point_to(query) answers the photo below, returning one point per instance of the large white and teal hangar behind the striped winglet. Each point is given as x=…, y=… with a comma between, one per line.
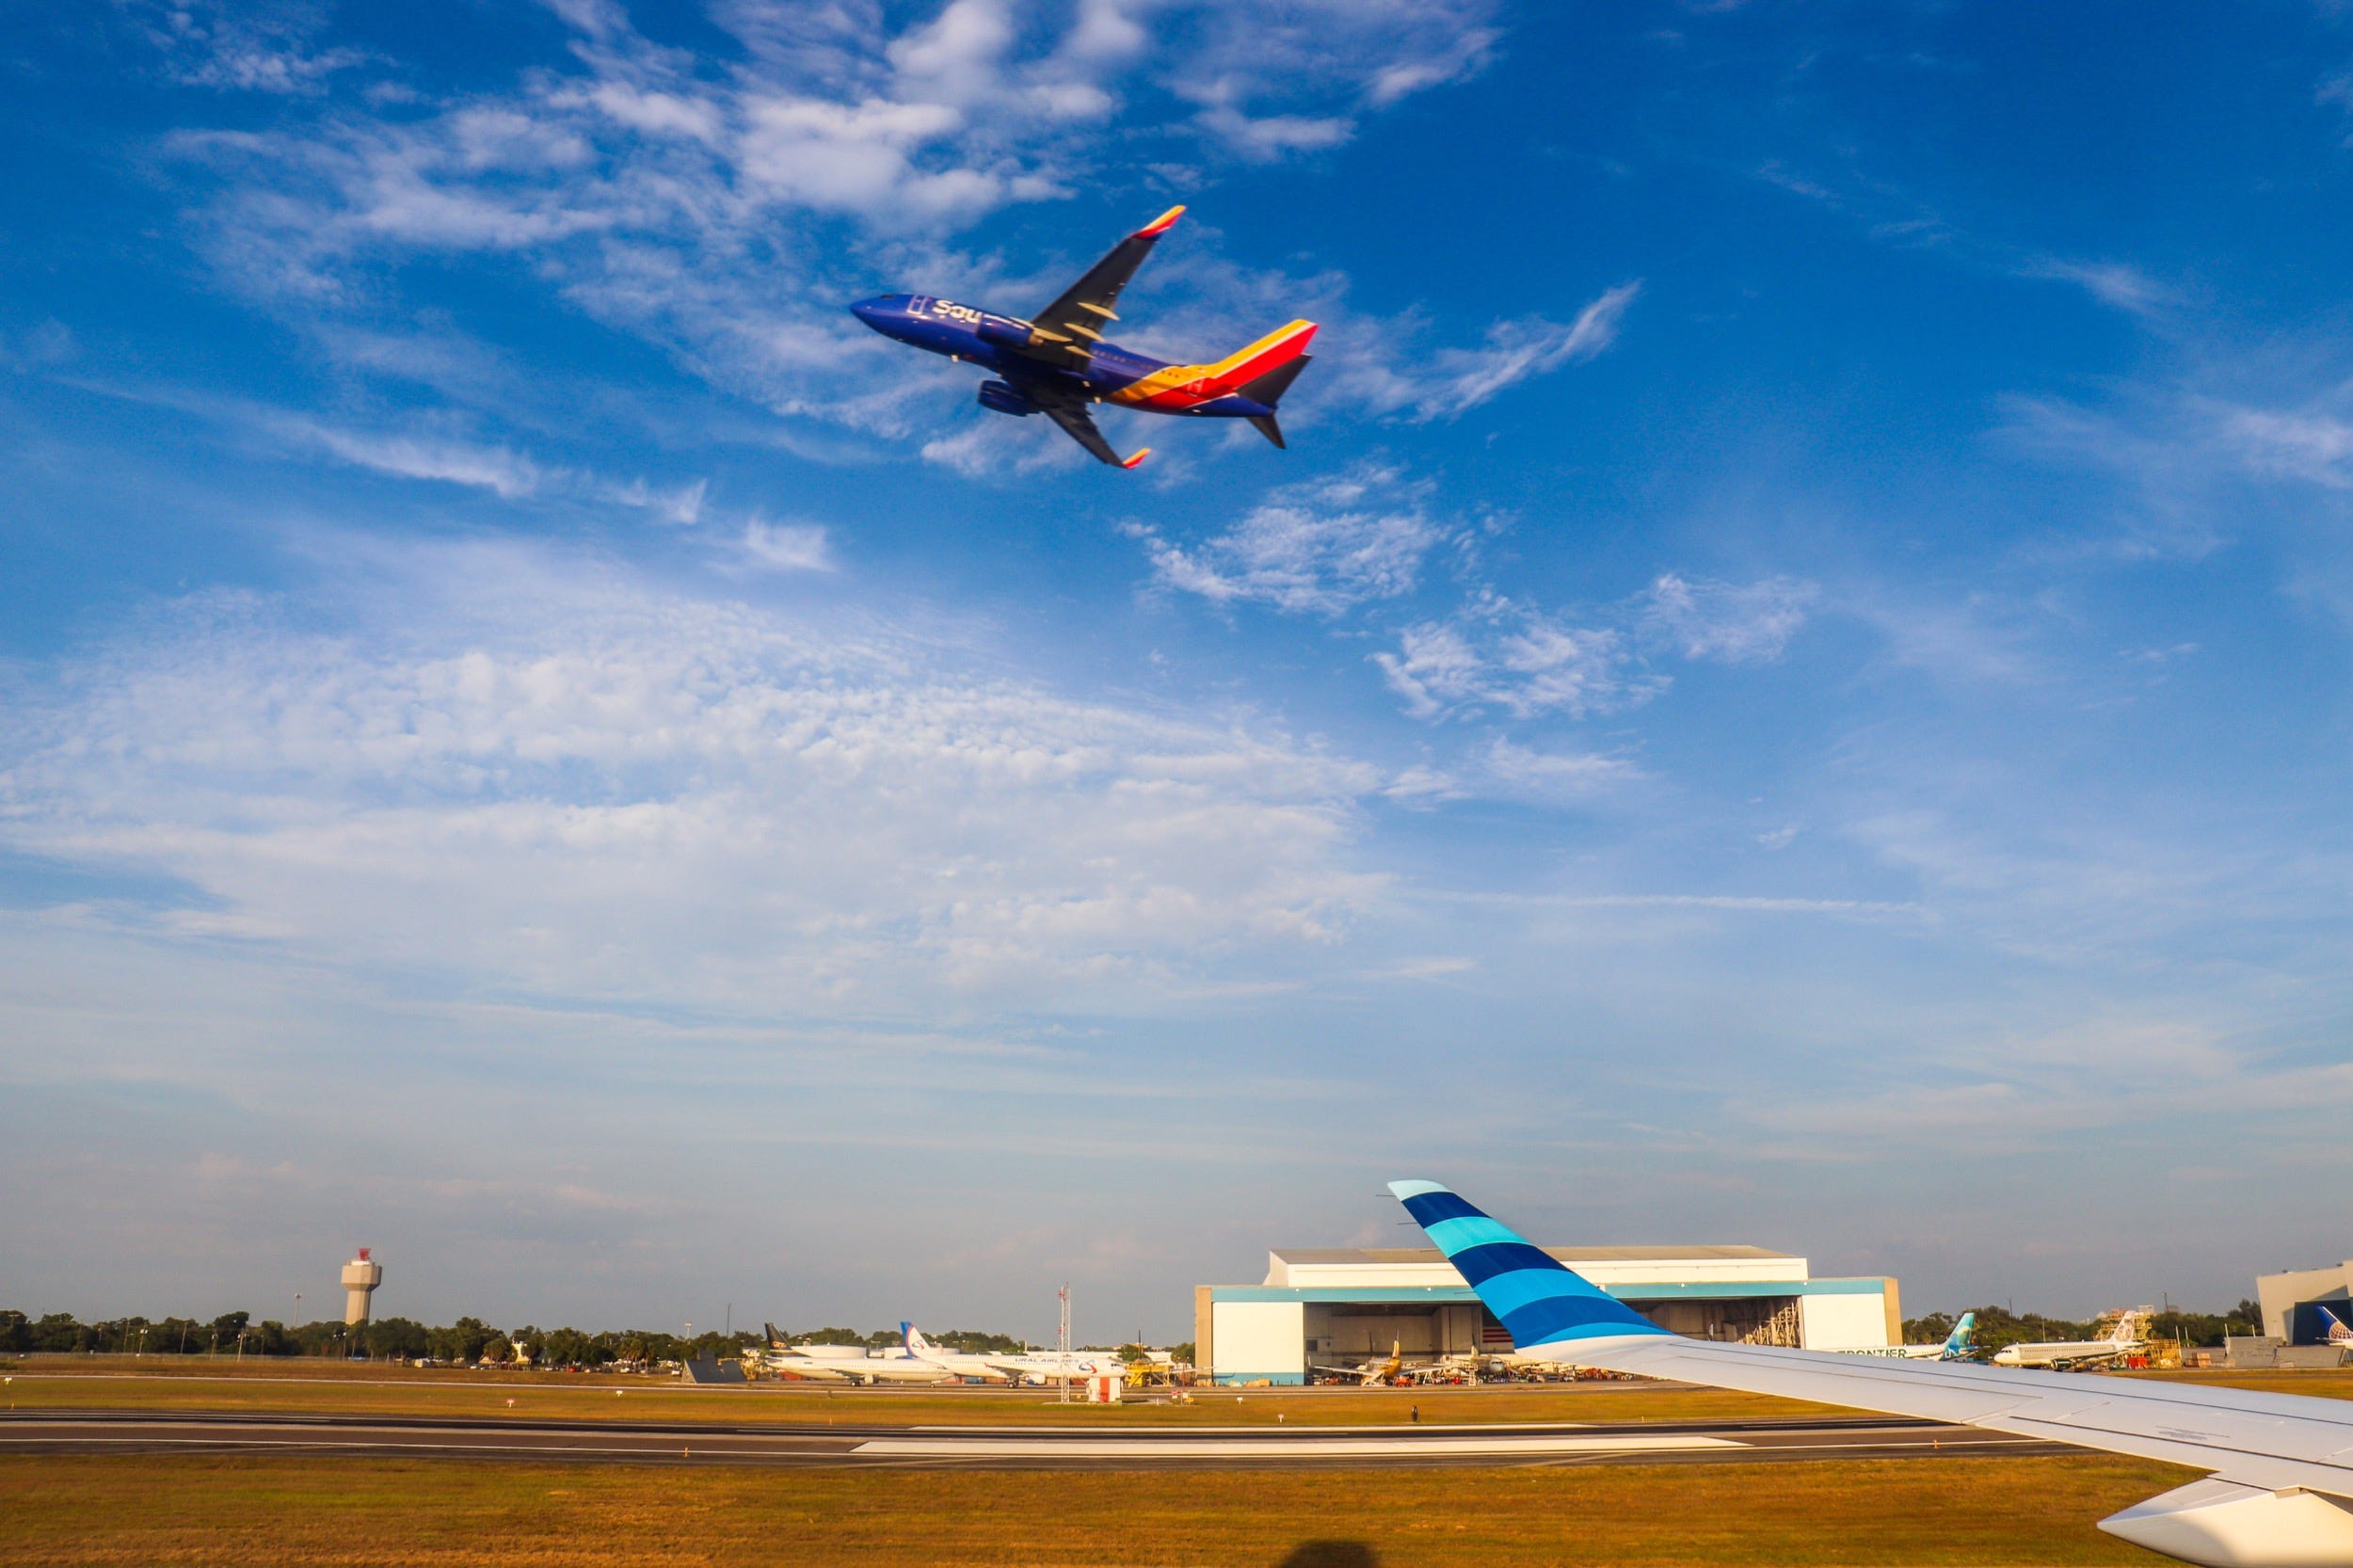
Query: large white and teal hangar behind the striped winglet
x=1342, y=1305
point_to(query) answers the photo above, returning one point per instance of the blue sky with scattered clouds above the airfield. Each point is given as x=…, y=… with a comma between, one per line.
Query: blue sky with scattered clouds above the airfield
x=1789, y=689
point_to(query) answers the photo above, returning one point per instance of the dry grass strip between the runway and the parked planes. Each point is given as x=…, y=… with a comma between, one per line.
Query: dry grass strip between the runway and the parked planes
x=448, y=1393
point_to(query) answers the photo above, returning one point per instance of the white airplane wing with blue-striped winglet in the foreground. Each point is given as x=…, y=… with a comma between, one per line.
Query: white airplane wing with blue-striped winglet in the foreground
x=2281, y=1487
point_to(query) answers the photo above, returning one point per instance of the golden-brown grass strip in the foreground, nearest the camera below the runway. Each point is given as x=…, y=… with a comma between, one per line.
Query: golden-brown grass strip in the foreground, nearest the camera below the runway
x=422, y=1515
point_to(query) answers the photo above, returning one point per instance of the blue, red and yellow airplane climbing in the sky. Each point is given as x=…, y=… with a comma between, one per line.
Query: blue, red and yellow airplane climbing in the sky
x=1060, y=364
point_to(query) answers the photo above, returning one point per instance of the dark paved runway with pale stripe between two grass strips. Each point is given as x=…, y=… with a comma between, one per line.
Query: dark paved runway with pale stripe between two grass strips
x=785, y=1444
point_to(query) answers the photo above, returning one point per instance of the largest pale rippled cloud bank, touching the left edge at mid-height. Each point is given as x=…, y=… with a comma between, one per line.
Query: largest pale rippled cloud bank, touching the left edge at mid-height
x=526, y=776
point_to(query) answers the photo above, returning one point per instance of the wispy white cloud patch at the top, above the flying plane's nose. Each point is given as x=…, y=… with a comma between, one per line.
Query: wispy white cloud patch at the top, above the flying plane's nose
x=726, y=215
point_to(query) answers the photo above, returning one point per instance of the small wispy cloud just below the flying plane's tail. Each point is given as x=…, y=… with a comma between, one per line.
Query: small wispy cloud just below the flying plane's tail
x=1317, y=547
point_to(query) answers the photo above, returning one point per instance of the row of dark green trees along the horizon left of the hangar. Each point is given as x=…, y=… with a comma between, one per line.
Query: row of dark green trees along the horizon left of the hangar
x=469, y=1341
